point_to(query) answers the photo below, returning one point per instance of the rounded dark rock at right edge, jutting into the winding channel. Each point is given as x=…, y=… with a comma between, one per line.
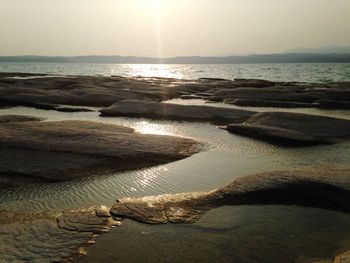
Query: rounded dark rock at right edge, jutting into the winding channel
x=294, y=129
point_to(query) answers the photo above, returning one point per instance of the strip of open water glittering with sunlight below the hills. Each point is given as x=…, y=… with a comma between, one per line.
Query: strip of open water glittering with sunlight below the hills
x=303, y=72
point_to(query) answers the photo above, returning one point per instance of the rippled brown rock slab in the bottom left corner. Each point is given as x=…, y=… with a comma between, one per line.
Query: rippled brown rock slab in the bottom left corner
x=51, y=236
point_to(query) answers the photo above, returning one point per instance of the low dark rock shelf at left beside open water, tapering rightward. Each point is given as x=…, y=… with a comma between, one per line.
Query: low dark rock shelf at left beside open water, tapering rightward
x=91, y=91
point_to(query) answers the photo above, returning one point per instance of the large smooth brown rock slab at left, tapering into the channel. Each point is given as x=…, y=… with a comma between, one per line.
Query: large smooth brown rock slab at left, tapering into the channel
x=64, y=150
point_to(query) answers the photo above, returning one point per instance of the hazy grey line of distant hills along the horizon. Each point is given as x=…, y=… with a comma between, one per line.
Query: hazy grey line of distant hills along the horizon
x=237, y=59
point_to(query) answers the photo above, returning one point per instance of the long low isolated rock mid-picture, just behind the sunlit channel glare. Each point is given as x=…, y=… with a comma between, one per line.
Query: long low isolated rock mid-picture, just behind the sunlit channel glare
x=157, y=110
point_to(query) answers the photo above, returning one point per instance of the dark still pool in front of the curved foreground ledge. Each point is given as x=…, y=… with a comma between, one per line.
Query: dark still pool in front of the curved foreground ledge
x=230, y=234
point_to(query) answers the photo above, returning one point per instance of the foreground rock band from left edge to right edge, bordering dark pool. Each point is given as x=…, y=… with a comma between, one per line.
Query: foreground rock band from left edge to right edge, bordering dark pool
x=71, y=231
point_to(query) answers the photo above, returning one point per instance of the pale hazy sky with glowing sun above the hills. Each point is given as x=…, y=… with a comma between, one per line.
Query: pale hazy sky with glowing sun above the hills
x=170, y=27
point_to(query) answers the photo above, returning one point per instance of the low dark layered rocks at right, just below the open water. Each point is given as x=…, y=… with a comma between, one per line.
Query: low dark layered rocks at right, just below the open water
x=284, y=95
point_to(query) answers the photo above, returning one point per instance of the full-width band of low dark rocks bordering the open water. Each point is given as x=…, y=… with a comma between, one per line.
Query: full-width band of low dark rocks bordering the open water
x=45, y=91
